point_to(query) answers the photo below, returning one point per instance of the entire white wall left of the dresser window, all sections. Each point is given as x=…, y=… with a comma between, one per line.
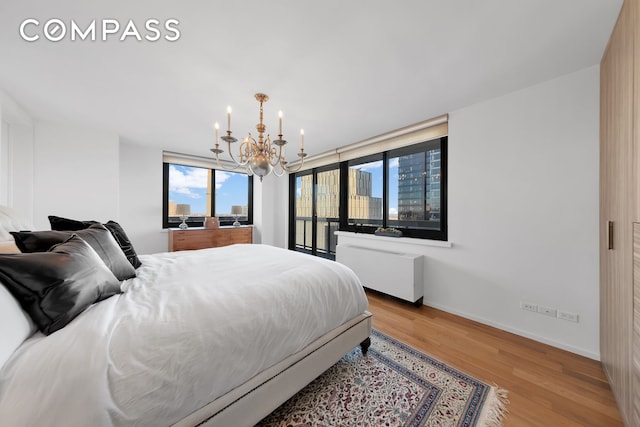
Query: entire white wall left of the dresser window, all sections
x=82, y=174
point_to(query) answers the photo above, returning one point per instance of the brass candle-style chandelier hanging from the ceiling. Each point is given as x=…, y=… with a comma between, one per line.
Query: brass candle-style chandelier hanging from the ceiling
x=263, y=156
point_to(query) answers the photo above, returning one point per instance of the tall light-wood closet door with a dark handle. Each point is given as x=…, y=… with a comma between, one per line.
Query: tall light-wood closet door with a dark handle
x=617, y=204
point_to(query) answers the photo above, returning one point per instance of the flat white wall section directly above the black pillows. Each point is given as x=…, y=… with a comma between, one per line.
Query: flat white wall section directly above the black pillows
x=76, y=174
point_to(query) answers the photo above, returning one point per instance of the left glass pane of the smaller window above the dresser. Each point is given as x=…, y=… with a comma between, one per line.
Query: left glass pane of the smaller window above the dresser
x=189, y=193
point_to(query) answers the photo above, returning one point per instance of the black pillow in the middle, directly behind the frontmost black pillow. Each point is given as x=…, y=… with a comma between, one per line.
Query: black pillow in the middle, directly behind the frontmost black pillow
x=97, y=236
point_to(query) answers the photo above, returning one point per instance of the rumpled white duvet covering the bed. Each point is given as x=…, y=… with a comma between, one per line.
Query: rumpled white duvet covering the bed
x=192, y=326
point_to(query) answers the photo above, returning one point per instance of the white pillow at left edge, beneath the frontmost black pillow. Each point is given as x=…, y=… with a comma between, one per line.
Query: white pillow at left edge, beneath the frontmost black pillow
x=15, y=325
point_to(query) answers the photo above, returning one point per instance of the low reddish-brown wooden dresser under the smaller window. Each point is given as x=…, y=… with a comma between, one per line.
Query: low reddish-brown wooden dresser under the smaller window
x=200, y=238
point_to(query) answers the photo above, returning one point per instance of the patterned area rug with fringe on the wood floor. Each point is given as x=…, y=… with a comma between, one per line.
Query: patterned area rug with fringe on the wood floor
x=393, y=385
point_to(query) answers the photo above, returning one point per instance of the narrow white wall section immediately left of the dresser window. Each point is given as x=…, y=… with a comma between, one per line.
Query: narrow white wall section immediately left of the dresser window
x=141, y=197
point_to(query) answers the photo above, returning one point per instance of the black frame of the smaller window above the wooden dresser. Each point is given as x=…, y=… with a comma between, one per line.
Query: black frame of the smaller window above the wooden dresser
x=198, y=221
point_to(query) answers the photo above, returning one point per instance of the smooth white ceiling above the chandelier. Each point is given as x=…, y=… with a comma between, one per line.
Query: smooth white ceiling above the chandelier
x=342, y=70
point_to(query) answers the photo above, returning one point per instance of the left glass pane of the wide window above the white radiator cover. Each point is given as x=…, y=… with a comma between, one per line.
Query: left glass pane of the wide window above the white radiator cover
x=365, y=193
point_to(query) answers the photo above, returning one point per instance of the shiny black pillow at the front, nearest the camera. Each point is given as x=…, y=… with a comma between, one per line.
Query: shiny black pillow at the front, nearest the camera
x=56, y=286
